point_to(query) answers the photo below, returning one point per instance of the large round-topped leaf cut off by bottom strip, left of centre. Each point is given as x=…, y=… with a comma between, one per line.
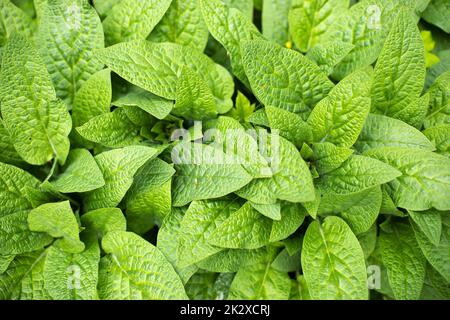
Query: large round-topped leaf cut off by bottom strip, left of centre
x=135, y=269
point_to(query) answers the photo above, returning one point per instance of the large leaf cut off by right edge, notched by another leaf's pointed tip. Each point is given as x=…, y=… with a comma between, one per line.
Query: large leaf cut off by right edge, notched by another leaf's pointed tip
x=425, y=179
